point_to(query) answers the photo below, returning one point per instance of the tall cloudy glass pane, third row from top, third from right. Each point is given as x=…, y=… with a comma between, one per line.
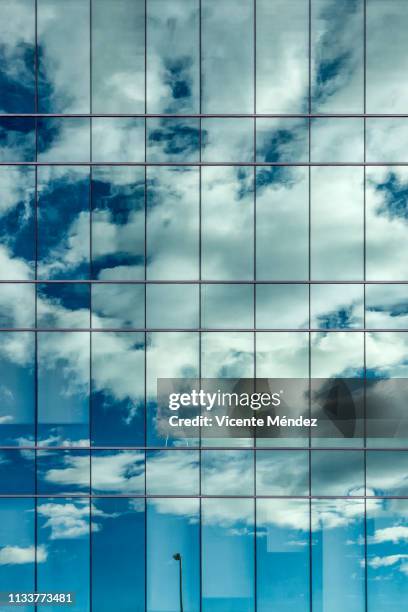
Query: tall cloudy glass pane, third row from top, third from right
x=282, y=223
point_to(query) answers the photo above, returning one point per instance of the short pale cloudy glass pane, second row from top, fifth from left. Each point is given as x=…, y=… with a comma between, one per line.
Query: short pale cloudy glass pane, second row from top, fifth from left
x=227, y=140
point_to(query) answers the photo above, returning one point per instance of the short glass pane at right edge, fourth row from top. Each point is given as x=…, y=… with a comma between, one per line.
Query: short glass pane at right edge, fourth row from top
x=387, y=306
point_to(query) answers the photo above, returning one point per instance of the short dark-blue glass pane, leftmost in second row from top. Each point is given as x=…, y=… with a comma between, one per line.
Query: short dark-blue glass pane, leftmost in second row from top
x=17, y=139
